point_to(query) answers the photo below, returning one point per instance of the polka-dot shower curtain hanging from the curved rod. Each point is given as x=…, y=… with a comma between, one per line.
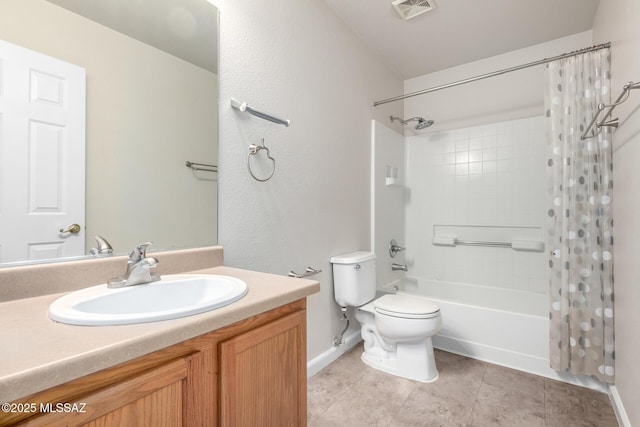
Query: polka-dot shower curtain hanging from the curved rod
x=580, y=223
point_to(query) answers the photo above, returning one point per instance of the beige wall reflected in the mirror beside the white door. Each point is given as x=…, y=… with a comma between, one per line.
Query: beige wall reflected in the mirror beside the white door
x=147, y=113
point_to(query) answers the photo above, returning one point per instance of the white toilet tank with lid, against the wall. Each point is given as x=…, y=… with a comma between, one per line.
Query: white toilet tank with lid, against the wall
x=354, y=278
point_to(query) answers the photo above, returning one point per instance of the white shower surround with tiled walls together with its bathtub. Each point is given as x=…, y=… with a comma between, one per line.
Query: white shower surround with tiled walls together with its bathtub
x=474, y=240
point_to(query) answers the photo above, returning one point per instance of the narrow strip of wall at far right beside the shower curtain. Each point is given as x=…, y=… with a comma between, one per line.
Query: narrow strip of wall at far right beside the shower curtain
x=617, y=21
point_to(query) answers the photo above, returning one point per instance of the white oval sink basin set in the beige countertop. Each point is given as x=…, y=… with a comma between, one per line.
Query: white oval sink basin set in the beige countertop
x=177, y=295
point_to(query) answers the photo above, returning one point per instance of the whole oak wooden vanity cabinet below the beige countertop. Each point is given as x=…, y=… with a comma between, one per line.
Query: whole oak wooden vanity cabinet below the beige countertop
x=247, y=374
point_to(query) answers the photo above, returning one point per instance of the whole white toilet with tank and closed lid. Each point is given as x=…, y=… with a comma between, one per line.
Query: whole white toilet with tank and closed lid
x=396, y=329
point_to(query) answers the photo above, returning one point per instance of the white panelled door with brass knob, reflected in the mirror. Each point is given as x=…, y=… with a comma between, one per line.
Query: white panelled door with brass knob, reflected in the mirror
x=42, y=155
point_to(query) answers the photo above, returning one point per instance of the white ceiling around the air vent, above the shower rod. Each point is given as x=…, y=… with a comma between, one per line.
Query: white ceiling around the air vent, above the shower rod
x=460, y=31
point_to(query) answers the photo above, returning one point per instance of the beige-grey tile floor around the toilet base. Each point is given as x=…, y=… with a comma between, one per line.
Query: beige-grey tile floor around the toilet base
x=467, y=393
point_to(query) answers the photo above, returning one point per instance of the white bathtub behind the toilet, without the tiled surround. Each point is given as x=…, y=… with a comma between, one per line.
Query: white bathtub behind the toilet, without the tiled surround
x=502, y=326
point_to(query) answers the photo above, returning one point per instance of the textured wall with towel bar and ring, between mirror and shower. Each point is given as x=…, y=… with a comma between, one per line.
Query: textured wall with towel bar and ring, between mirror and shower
x=298, y=61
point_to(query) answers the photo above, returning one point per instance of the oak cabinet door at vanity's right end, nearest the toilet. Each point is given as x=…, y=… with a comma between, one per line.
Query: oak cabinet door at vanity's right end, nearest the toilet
x=263, y=375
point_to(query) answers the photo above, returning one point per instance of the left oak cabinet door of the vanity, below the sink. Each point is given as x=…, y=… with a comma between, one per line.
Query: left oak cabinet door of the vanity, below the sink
x=159, y=397
